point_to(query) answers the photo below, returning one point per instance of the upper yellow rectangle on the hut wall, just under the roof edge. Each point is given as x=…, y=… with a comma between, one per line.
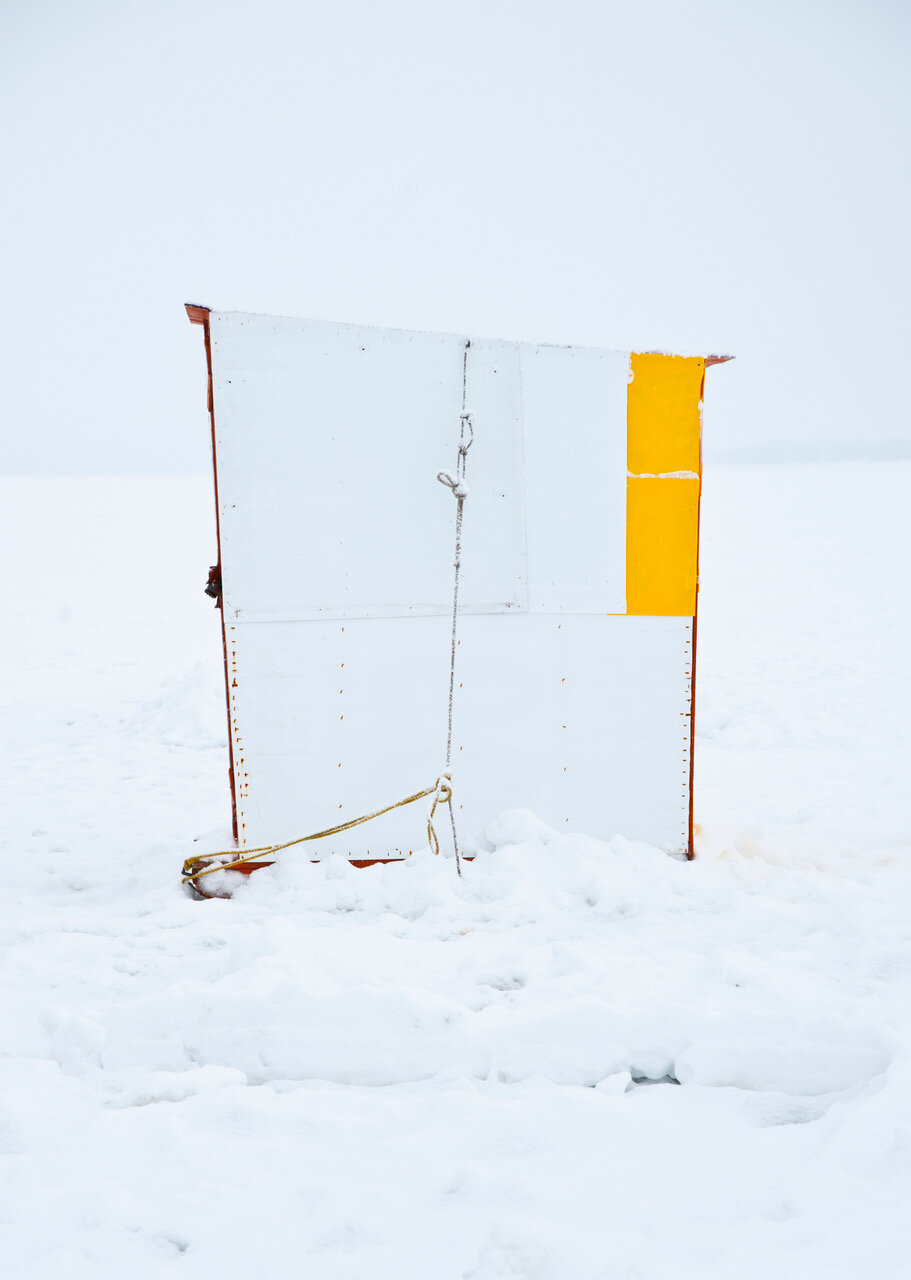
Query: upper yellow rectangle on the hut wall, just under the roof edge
x=663, y=418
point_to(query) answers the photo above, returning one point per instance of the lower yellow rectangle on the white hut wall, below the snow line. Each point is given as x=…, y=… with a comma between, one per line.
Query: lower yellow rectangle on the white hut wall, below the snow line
x=662, y=546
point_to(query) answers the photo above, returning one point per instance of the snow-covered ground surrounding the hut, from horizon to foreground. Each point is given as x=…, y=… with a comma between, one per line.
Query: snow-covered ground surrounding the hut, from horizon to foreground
x=584, y=1062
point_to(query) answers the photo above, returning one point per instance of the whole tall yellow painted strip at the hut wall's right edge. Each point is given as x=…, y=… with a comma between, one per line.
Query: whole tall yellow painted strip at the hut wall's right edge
x=663, y=486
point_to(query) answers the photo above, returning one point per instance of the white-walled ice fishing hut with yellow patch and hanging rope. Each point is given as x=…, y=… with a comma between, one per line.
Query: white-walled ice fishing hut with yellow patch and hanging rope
x=575, y=668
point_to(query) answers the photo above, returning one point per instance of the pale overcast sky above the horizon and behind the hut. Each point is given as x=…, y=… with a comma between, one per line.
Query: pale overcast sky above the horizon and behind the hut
x=686, y=176
